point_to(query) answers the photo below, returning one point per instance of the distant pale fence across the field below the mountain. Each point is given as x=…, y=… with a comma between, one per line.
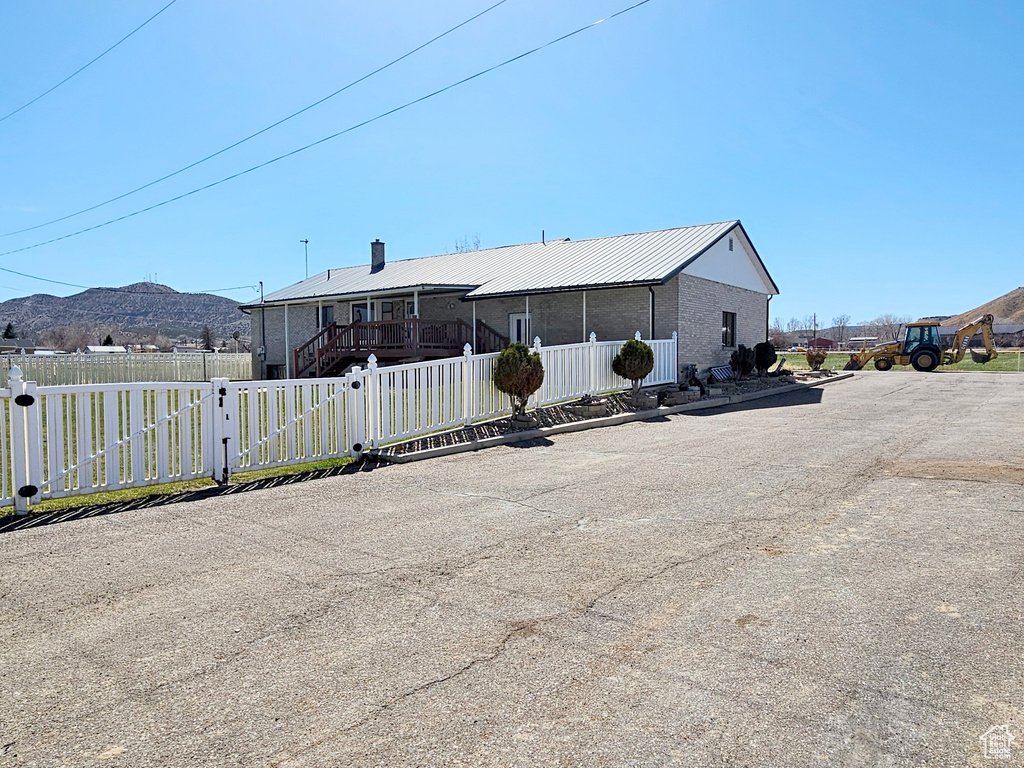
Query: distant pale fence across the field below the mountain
x=53, y=370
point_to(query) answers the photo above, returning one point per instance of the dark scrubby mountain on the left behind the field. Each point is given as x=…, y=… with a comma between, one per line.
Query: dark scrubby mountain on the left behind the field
x=139, y=310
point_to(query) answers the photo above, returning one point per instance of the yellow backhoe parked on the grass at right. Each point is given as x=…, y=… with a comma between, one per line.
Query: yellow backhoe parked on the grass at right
x=922, y=348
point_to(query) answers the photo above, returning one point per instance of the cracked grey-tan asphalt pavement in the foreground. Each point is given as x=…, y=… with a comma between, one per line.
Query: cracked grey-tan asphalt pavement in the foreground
x=780, y=583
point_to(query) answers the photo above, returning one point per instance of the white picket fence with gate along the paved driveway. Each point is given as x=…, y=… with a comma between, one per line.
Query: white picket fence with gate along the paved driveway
x=75, y=440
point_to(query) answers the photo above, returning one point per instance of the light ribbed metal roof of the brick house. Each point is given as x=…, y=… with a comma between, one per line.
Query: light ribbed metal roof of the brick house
x=645, y=259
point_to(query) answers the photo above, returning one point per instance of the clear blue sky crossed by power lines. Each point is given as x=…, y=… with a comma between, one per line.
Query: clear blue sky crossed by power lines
x=872, y=150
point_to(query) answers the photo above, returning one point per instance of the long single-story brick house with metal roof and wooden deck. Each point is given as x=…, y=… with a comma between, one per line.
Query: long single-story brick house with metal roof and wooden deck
x=707, y=283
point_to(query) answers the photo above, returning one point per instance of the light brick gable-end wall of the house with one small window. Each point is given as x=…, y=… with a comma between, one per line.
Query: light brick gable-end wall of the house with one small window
x=701, y=306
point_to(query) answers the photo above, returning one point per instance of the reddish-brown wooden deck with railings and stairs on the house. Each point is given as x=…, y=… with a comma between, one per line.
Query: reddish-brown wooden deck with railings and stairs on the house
x=336, y=348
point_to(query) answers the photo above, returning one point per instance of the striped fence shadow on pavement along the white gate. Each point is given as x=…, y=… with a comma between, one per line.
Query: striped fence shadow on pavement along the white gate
x=162, y=500
